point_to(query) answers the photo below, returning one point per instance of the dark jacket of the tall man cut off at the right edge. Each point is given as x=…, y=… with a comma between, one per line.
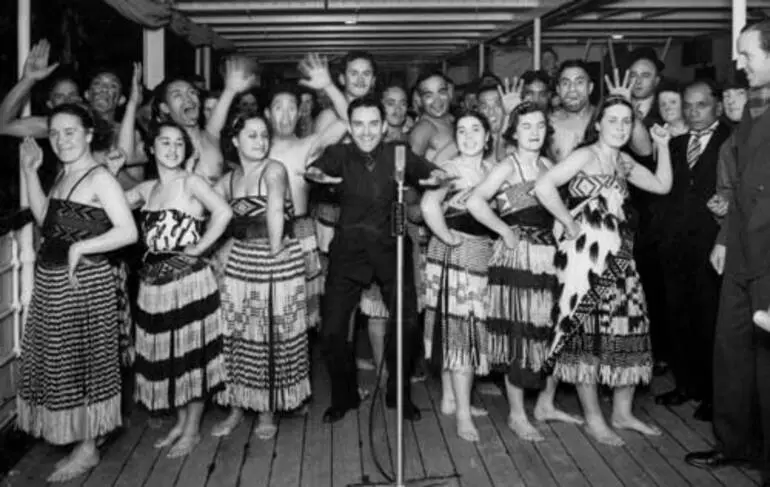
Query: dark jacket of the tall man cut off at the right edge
x=747, y=230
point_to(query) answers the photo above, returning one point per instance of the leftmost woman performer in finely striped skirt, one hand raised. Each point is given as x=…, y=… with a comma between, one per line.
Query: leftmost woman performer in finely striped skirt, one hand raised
x=70, y=367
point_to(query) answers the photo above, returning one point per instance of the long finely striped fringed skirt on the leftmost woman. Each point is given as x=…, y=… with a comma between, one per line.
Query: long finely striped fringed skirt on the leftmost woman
x=69, y=388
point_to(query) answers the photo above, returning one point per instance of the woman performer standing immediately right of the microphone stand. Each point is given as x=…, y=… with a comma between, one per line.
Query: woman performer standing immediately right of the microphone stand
x=456, y=275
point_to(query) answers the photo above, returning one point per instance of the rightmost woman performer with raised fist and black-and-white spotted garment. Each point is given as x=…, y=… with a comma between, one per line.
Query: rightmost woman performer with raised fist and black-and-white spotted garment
x=602, y=329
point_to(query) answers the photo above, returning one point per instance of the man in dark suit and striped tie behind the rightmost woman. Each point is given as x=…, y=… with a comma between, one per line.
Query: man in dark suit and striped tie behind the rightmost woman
x=687, y=231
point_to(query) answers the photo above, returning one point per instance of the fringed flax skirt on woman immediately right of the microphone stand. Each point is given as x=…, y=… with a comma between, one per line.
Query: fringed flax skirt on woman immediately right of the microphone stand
x=455, y=300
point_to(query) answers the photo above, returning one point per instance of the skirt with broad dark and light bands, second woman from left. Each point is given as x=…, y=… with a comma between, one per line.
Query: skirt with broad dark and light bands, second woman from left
x=179, y=355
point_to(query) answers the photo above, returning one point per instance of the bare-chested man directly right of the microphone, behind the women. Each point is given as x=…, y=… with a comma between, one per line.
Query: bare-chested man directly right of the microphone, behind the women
x=433, y=136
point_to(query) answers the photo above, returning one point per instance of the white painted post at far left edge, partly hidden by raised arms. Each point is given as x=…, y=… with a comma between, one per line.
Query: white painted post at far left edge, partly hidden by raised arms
x=24, y=236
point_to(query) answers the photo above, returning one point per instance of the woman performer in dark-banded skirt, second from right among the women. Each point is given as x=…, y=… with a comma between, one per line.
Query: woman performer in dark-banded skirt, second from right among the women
x=522, y=278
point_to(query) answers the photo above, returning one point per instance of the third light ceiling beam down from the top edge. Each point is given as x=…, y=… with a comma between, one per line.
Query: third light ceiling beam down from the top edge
x=291, y=27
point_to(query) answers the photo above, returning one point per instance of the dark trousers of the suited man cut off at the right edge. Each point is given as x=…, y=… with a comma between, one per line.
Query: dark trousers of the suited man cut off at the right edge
x=742, y=371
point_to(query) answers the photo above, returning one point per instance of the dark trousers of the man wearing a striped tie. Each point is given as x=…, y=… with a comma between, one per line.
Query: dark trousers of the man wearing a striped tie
x=691, y=292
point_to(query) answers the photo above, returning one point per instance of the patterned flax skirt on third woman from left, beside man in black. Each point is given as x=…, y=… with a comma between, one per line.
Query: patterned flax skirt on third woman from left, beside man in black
x=266, y=340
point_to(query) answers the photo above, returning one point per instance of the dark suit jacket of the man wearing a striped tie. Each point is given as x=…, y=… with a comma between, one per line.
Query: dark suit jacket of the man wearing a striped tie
x=682, y=217
